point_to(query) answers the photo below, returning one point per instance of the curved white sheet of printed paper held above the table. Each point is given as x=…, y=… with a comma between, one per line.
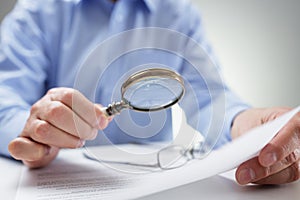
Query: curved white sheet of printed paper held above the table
x=73, y=176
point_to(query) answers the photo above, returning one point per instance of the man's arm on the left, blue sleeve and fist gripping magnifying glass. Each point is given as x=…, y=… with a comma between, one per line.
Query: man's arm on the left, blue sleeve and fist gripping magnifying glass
x=34, y=126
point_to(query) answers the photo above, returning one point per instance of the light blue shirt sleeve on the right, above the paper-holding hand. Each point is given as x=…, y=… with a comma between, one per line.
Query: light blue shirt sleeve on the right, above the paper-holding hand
x=206, y=90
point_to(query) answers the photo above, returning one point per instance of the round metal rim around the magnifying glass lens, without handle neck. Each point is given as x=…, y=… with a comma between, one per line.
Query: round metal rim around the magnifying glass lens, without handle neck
x=149, y=74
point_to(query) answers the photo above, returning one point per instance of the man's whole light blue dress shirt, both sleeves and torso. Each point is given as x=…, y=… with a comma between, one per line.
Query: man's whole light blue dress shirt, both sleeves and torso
x=44, y=43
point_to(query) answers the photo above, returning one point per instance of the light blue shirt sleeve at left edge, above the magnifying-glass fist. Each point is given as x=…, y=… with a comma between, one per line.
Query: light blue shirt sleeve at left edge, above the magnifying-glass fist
x=23, y=64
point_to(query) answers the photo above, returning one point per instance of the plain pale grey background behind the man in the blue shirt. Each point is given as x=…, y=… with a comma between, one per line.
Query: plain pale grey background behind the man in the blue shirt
x=257, y=44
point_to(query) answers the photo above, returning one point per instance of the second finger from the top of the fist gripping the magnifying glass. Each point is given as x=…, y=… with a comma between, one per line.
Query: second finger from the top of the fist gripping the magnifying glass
x=62, y=117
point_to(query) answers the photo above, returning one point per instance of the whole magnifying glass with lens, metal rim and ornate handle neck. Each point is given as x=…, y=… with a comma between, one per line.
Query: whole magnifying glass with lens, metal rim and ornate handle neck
x=148, y=90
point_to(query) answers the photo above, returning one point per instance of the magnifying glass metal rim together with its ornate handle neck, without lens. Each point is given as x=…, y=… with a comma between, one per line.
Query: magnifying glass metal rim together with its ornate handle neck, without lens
x=151, y=73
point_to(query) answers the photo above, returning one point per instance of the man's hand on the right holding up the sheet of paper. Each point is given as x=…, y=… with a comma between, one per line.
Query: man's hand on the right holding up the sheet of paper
x=279, y=161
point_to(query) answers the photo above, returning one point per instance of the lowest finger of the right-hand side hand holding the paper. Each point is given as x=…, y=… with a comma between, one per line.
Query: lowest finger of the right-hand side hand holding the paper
x=252, y=170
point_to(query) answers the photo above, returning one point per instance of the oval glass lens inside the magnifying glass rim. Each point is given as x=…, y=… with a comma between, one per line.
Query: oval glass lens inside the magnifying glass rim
x=153, y=93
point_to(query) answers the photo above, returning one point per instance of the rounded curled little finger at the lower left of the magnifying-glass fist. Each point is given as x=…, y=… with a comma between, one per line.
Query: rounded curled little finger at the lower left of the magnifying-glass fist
x=23, y=148
